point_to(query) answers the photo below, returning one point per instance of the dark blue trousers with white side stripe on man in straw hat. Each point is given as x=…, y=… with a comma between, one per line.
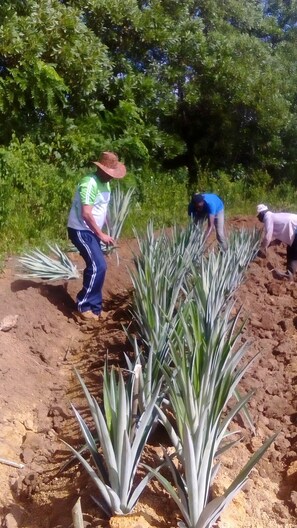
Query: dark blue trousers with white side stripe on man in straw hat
x=88, y=245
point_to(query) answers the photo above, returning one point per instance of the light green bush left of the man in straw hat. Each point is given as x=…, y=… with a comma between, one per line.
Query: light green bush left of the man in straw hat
x=34, y=197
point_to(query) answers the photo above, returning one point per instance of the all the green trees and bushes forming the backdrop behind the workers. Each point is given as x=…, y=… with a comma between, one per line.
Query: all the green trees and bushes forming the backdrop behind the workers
x=192, y=94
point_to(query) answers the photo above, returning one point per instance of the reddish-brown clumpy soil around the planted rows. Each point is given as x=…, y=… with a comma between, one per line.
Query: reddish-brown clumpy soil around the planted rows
x=41, y=343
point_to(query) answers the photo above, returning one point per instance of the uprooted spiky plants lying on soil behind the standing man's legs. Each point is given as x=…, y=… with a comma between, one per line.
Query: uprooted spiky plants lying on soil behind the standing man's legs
x=38, y=265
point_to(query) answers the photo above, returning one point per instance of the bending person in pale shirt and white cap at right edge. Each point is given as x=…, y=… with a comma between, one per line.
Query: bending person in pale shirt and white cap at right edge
x=280, y=227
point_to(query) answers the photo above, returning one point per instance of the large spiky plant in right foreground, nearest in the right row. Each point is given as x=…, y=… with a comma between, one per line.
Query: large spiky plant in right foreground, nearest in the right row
x=205, y=371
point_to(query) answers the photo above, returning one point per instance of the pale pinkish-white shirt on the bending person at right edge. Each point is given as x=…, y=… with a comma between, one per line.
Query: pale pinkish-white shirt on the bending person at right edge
x=279, y=226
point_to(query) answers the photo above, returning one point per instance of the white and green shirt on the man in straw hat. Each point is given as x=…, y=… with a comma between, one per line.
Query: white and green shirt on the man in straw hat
x=91, y=191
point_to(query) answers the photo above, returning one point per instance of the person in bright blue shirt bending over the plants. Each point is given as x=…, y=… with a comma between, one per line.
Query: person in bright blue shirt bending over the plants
x=210, y=206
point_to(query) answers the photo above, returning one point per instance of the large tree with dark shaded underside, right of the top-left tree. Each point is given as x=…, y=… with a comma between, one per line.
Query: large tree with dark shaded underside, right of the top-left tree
x=204, y=74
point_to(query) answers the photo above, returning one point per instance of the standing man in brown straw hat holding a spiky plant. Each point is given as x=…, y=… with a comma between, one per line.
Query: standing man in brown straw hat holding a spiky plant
x=85, y=223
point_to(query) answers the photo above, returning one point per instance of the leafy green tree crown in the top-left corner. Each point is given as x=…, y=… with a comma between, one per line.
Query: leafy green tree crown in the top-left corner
x=51, y=66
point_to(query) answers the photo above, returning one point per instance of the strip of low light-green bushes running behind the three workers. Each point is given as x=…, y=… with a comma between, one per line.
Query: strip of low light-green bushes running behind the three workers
x=36, y=195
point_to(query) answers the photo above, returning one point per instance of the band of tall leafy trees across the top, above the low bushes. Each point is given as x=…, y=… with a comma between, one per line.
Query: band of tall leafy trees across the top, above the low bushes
x=198, y=83
